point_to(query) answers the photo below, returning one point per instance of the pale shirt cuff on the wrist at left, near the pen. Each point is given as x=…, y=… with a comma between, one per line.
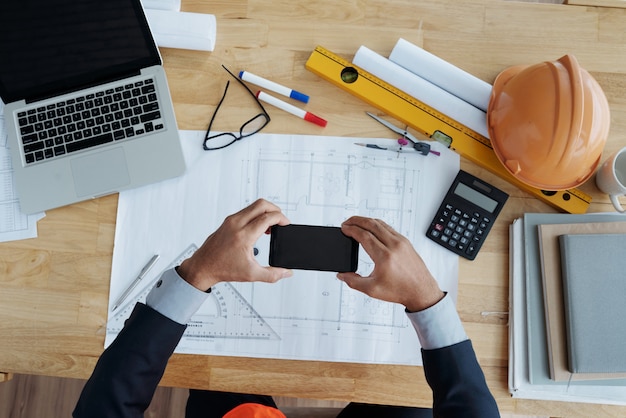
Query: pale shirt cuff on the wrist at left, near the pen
x=174, y=298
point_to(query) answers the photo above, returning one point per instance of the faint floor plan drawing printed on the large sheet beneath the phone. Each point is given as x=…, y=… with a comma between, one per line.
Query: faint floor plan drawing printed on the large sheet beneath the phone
x=303, y=182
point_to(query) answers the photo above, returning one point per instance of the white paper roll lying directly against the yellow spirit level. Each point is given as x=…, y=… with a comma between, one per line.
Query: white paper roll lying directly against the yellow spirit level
x=423, y=90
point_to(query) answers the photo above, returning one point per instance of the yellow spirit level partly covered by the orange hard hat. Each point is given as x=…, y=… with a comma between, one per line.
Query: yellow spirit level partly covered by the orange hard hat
x=431, y=123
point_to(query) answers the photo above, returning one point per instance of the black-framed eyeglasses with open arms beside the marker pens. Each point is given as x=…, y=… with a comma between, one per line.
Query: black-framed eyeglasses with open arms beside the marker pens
x=249, y=128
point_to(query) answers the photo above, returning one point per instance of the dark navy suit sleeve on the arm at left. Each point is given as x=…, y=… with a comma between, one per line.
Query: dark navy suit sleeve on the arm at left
x=129, y=370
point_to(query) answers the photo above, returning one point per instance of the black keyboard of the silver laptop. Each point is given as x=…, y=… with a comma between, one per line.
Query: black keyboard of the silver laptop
x=80, y=123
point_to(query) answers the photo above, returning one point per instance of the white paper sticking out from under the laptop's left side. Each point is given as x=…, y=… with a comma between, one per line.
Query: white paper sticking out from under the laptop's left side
x=14, y=224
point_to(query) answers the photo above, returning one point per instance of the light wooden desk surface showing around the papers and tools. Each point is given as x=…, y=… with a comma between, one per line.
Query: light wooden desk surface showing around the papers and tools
x=54, y=289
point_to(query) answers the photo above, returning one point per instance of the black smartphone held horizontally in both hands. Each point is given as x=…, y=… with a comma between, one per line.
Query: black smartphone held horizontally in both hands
x=305, y=247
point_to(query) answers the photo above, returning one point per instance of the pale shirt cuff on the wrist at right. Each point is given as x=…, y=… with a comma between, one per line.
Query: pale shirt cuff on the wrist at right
x=438, y=326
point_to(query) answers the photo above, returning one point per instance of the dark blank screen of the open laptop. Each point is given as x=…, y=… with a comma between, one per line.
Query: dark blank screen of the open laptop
x=49, y=47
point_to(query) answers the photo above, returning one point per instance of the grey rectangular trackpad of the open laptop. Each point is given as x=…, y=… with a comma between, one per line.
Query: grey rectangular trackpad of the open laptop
x=99, y=173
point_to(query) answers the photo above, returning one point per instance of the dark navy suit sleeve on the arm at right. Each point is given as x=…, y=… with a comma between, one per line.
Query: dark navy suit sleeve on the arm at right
x=458, y=383
